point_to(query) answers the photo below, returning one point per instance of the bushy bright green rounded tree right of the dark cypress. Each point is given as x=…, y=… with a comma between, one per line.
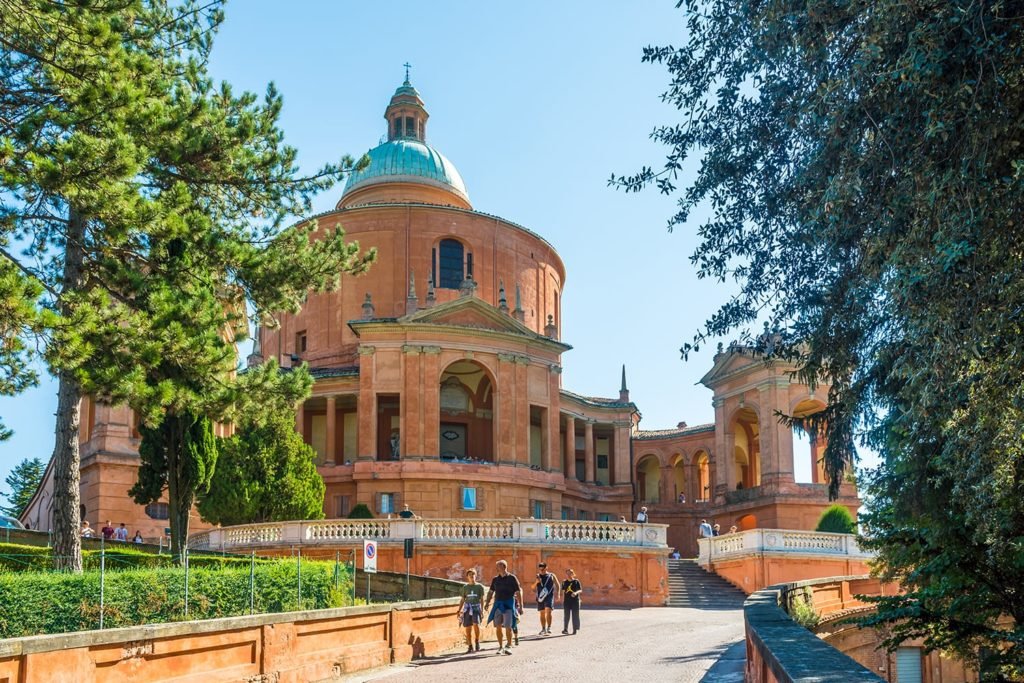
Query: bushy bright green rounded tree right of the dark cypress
x=266, y=473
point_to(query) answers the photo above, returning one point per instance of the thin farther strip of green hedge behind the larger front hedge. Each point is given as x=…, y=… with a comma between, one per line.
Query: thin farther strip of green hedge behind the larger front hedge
x=16, y=558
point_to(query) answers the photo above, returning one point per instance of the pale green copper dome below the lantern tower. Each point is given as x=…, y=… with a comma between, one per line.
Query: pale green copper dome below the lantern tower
x=408, y=160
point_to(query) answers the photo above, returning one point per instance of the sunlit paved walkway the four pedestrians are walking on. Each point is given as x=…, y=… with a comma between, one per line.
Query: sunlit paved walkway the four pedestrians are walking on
x=648, y=645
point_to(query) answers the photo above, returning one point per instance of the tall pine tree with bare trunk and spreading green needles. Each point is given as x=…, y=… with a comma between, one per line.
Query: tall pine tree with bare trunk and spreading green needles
x=154, y=203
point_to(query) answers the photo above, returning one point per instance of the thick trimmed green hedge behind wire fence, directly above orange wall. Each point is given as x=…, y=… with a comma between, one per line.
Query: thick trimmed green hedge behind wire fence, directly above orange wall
x=34, y=604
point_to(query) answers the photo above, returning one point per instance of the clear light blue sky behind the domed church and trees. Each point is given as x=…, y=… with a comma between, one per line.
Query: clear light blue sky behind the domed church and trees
x=537, y=104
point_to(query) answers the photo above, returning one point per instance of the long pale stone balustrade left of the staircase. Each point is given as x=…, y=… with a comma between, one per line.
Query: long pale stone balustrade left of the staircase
x=461, y=532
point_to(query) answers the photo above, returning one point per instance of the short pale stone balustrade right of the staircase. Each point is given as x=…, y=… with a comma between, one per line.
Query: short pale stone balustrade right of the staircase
x=777, y=541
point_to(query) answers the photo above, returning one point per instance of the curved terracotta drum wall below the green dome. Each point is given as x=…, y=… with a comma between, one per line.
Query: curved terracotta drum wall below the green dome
x=407, y=238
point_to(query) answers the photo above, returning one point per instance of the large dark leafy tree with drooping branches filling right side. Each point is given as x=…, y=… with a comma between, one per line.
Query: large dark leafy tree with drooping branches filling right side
x=863, y=173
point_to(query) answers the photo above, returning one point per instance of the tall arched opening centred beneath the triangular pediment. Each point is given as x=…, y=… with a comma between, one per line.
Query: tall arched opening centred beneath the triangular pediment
x=466, y=429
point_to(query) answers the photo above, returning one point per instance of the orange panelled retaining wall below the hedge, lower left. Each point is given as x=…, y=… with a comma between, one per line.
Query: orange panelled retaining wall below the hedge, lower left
x=289, y=648
